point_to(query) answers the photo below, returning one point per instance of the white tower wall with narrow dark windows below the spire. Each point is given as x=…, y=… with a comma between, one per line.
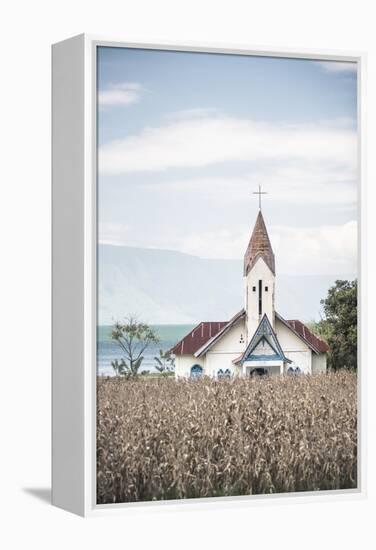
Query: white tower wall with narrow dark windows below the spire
x=260, y=271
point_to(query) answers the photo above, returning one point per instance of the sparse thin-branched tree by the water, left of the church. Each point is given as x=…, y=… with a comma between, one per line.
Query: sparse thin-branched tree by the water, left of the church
x=133, y=338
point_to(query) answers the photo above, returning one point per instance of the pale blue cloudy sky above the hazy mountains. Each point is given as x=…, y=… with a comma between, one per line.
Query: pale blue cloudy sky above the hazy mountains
x=184, y=139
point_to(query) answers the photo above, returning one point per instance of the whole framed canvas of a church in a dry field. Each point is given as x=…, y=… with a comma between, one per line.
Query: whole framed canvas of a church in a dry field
x=208, y=281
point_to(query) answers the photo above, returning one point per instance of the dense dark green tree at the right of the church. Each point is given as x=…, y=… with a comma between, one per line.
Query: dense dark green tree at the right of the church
x=339, y=326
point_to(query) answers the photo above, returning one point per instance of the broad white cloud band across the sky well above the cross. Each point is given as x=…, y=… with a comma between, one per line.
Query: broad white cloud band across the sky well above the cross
x=208, y=140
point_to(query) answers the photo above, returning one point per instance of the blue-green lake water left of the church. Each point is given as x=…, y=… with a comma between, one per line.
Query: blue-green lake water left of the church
x=108, y=350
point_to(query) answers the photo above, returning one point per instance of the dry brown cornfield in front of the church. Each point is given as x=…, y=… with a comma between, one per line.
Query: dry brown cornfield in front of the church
x=162, y=439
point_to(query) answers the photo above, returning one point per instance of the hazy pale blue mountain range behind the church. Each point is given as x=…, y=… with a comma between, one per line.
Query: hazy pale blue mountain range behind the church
x=164, y=286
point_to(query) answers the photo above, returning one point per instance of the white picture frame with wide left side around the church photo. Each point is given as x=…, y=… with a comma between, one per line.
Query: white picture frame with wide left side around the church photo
x=74, y=208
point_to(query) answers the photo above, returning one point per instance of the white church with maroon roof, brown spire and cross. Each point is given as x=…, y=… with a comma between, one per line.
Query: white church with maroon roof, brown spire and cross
x=257, y=340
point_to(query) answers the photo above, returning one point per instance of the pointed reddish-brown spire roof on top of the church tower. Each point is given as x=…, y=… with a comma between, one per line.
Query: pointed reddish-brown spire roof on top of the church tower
x=259, y=246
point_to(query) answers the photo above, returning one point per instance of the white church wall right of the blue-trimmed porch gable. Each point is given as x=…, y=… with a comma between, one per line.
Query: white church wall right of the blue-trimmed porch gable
x=294, y=348
